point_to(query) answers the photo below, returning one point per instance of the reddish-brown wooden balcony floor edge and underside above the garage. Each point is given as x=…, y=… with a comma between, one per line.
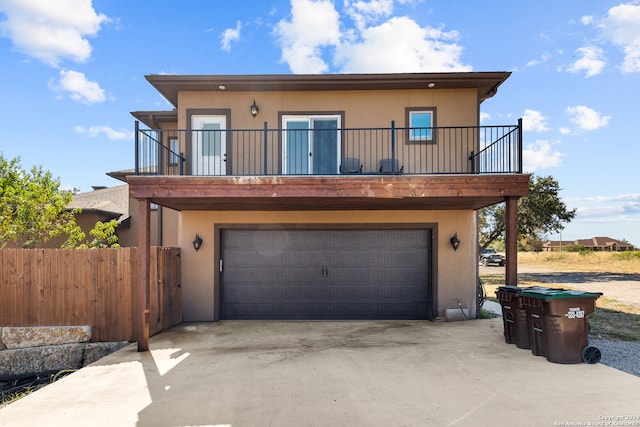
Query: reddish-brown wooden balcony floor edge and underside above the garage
x=398, y=192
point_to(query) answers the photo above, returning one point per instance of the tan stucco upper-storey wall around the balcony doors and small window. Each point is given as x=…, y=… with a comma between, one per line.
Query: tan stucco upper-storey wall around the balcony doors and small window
x=358, y=110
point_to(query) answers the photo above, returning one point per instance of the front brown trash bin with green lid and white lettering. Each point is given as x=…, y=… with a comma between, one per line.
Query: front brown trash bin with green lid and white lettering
x=558, y=325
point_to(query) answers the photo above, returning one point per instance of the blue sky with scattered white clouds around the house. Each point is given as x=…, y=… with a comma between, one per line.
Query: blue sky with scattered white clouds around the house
x=74, y=69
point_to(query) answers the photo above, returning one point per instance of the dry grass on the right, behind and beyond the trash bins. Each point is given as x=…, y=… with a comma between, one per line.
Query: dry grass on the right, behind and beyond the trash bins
x=613, y=318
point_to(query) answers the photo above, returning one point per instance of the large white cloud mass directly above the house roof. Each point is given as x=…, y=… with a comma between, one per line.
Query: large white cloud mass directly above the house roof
x=315, y=38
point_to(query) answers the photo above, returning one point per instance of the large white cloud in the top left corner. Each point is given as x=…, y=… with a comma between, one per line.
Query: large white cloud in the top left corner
x=51, y=30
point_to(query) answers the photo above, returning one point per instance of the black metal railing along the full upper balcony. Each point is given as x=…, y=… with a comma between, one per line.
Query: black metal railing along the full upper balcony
x=367, y=151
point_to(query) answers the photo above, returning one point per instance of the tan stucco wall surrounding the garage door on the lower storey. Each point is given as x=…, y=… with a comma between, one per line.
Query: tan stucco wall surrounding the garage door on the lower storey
x=455, y=272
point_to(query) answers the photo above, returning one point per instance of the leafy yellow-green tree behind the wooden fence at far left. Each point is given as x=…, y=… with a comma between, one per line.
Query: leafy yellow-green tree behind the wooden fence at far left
x=33, y=209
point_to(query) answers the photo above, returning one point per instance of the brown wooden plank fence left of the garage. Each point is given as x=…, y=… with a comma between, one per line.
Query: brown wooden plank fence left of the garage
x=95, y=287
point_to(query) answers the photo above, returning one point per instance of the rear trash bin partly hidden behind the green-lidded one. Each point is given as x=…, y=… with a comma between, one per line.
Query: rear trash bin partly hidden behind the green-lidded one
x=514, y=316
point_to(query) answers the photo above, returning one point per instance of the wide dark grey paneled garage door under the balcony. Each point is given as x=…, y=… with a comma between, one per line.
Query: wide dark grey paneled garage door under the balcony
x=325, y=274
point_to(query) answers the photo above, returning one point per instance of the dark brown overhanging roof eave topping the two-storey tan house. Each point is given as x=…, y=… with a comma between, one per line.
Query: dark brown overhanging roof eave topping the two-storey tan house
x=486, y=83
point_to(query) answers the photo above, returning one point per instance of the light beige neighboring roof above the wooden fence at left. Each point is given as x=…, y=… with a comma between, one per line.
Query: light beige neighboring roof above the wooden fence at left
x=113, y=202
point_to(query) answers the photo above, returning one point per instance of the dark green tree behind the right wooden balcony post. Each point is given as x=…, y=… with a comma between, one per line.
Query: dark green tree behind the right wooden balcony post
x=540, y=212
